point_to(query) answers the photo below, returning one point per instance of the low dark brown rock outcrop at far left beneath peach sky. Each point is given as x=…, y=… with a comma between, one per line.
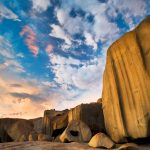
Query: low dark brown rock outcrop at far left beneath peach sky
x=18, y=129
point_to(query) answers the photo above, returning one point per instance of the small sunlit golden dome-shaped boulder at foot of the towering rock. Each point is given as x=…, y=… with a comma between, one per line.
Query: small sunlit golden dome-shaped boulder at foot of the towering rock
x=100, y=140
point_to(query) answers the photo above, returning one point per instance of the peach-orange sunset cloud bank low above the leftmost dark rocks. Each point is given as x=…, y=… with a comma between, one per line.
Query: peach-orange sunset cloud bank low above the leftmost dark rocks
x=18, y=96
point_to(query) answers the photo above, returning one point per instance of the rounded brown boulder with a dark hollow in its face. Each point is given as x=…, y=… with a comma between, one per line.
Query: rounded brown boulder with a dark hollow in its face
x=76, y=131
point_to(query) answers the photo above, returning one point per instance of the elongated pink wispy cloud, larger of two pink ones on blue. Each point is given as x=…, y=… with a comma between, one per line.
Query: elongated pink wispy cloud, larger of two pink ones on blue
x=30, y=39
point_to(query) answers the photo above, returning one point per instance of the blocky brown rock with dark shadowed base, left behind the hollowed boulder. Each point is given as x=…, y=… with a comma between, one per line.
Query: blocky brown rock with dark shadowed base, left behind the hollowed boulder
x=54, y=122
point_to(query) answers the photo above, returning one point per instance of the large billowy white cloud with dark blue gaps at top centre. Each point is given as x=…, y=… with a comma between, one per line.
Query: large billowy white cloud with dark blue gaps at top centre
x=99, y=30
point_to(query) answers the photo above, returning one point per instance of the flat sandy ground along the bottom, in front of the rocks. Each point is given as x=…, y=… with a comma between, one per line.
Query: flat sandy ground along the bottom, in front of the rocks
x=51, y=146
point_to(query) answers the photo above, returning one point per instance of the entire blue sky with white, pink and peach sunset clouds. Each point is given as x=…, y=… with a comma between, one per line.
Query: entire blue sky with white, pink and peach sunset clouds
x=53, y=52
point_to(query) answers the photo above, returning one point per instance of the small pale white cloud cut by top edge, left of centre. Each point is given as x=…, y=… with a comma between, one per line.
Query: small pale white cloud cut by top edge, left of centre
x=41, y=5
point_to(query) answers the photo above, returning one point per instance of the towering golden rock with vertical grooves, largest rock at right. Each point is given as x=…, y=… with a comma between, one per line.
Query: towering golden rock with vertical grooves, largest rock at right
x=126, y=96
